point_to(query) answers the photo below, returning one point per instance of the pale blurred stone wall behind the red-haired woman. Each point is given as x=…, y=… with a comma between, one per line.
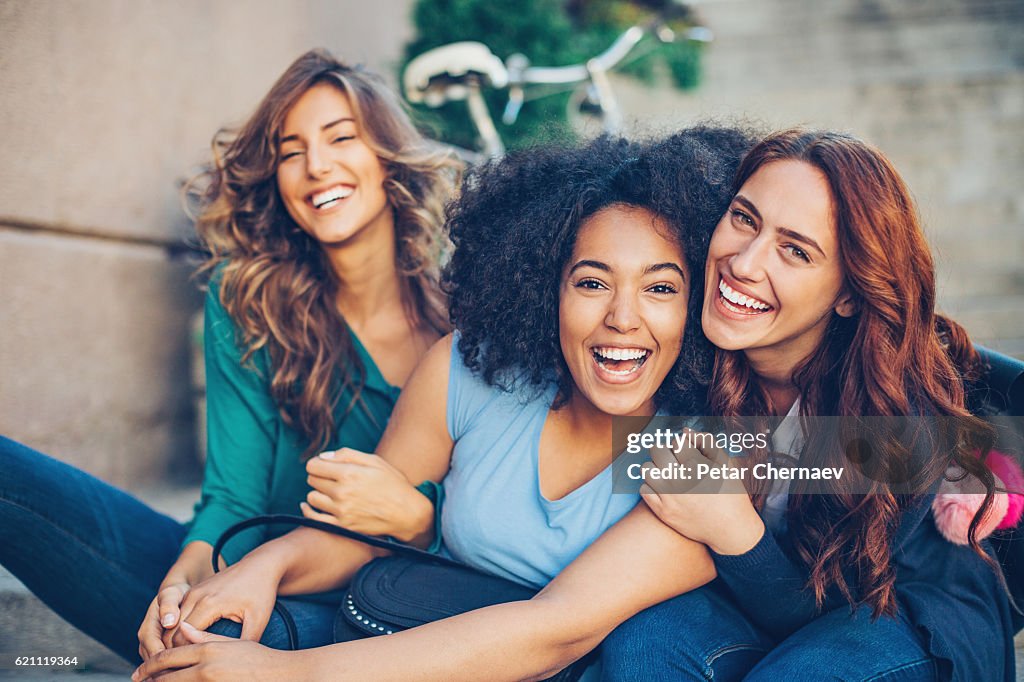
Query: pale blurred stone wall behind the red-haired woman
x=937, y=84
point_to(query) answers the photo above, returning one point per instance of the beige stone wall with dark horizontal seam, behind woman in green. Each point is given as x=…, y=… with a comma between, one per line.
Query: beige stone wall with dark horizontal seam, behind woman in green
x=107, y=107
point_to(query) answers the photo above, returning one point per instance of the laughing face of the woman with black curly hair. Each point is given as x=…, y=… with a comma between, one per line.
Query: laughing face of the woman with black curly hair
x=622, y=310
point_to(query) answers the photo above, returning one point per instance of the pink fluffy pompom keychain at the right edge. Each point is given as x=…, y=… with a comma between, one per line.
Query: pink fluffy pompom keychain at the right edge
x=957, y=502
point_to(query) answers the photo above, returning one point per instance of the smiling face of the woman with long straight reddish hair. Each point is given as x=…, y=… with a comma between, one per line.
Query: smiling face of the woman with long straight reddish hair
x=775, y=275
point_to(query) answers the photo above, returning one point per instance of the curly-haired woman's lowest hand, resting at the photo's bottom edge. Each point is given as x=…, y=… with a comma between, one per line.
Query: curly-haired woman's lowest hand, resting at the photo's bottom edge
x=210, y=657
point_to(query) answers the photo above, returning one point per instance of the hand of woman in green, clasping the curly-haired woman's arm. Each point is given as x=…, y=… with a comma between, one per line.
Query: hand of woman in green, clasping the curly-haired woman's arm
x=364, y=493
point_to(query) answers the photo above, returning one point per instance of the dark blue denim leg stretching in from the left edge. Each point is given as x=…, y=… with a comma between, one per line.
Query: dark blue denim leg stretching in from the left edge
x=93, y=553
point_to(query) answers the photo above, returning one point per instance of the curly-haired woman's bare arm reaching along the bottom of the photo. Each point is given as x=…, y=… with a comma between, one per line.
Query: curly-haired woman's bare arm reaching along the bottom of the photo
x=635, y=565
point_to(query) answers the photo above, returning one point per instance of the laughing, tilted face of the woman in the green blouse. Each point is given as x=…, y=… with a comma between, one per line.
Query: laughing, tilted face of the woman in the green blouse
x=331, y=182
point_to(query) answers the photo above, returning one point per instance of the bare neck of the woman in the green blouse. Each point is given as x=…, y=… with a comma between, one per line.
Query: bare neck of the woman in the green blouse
x=369, y=283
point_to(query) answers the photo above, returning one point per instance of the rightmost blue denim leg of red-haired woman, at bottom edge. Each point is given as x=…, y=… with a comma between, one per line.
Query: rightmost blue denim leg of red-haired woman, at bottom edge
x=841, y=646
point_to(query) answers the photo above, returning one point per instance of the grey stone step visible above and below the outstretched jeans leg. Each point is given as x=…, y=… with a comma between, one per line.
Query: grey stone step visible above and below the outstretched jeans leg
x=28, y=628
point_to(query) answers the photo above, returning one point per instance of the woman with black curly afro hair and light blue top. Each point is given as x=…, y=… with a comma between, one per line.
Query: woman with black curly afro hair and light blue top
x=575, y=290
